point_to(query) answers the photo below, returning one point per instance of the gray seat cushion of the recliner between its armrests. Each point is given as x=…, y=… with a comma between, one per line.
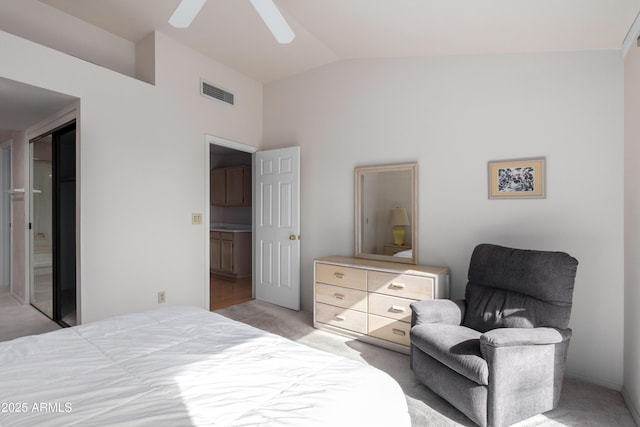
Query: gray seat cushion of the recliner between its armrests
x=457, y=347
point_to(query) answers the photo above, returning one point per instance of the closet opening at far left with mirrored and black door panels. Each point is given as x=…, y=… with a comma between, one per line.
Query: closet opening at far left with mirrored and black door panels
x=53, y=224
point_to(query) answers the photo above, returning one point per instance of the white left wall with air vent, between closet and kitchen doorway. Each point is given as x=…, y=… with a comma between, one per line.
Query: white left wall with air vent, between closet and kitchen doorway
x=142, y=169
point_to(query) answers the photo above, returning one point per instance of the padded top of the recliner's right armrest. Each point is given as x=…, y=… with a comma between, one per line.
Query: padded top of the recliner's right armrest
x=511, y=337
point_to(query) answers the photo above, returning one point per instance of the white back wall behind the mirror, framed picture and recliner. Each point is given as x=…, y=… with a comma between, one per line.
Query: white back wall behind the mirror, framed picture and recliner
x=452, y=115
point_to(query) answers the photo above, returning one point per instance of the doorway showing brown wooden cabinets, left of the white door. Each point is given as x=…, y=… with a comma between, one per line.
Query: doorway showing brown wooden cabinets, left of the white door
x=231, y=224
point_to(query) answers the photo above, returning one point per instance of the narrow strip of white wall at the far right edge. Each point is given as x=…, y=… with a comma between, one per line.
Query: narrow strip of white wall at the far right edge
x=631, y=390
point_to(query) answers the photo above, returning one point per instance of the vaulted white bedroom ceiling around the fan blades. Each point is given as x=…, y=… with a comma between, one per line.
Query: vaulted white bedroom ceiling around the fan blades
x=231, y=32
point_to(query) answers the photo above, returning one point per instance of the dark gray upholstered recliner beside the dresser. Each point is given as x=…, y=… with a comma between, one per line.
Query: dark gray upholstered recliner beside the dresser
x=499, y=355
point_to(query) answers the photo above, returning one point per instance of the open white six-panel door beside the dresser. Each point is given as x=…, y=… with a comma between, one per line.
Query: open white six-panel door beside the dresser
x=277, y=227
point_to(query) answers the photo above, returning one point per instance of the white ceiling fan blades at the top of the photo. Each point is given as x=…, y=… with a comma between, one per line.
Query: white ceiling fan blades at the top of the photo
x=187, y=10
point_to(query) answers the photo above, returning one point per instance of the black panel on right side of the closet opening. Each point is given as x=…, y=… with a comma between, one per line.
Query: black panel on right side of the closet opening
x=64, y=225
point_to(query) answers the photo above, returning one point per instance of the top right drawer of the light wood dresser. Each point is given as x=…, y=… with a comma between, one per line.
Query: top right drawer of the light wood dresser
x=400, y=285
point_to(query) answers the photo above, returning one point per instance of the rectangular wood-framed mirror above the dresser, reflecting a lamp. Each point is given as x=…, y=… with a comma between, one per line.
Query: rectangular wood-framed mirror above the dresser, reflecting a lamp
x=386, y=212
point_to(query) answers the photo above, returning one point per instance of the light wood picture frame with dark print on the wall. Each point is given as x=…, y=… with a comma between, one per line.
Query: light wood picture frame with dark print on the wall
x=517, y=178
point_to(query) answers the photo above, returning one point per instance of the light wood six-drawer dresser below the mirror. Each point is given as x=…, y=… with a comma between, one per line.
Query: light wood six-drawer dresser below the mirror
x=369, y=300
